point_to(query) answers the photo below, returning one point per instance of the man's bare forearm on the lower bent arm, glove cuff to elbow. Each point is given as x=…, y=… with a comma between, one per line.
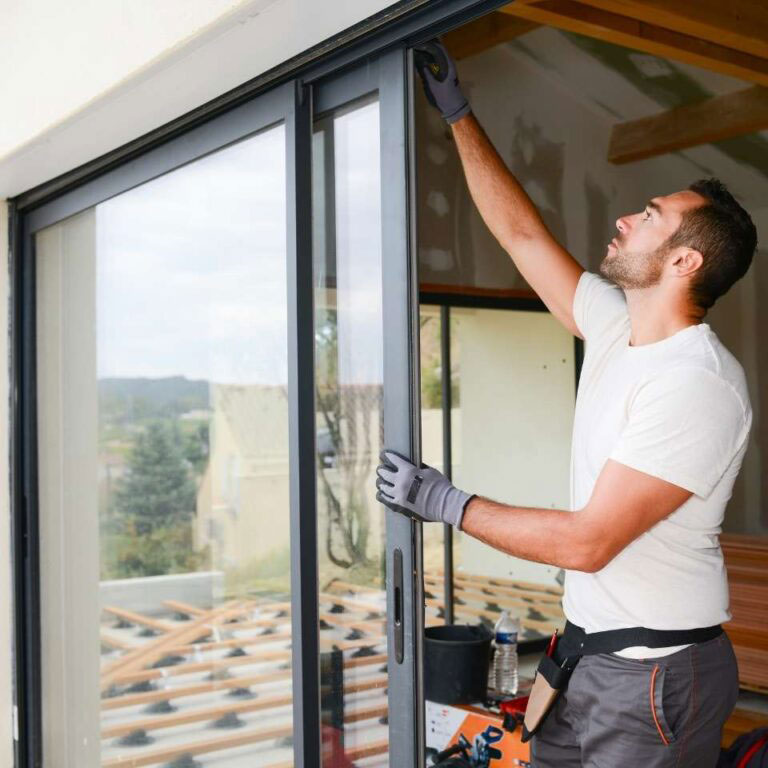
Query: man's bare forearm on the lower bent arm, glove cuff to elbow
x=553, y=536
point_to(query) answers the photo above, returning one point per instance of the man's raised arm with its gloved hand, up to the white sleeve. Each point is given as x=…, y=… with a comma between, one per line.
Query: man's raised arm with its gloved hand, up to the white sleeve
x=504, y=205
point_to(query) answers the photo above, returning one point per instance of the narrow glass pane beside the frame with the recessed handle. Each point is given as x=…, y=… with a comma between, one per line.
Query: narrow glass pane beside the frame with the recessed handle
x=349, y=353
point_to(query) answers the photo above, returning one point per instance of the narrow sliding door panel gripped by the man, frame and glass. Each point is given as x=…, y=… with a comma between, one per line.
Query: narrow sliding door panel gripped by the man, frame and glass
x=368, y=619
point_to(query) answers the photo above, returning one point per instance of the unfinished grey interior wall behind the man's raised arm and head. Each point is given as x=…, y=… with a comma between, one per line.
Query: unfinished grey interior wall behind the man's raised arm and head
x=555, y=141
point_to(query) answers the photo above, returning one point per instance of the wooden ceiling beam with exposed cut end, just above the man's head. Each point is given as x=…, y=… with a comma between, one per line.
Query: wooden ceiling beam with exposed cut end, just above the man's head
x=721, y=117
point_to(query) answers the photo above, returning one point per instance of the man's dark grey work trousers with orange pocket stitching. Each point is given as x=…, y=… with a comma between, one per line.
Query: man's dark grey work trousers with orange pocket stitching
x=661, y=712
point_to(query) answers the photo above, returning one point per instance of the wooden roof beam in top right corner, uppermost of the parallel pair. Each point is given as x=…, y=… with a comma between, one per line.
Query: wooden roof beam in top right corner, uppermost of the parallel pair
x=738, y=24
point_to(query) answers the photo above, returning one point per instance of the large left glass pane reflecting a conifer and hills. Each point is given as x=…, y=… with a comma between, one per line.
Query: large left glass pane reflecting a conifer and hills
x=162, y=369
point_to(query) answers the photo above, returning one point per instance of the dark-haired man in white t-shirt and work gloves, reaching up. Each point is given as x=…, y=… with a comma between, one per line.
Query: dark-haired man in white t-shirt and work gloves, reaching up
x=660, y=429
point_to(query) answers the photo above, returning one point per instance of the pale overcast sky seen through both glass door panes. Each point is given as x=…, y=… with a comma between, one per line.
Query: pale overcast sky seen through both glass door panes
x=191, y=266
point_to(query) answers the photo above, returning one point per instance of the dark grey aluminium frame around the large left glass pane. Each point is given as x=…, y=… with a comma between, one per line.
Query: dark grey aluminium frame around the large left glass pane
x=288, y=104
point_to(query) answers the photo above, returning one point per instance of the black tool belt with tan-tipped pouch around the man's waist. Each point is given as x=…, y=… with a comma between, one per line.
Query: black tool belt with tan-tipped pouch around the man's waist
x=554, y=671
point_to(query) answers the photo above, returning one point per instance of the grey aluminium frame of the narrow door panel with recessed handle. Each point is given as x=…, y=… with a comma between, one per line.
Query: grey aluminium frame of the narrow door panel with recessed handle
x=390, y=74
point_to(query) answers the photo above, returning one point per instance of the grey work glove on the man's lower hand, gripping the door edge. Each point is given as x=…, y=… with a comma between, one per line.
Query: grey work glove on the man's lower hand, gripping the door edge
x=421, y=493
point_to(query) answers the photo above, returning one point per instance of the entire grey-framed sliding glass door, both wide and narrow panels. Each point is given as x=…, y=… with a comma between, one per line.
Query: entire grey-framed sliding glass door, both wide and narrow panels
x=215, y=342
